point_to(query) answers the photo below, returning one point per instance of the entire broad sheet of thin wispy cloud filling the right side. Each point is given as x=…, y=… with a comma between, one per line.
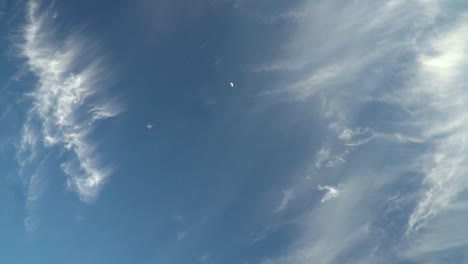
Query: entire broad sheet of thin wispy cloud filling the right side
x=396, y=104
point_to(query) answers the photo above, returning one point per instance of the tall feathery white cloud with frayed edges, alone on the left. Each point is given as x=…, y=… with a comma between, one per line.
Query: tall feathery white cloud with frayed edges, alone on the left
x=65, y=102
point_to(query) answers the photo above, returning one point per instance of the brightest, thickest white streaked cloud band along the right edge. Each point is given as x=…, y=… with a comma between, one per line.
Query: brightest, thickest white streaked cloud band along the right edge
x=442, y=122
